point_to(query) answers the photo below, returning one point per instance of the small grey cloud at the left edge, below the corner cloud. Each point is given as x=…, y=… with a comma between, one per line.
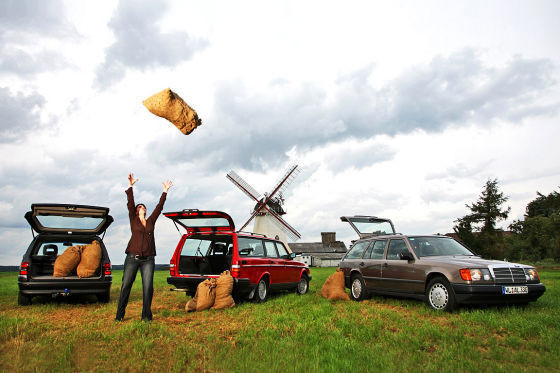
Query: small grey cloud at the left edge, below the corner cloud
x=19, y=113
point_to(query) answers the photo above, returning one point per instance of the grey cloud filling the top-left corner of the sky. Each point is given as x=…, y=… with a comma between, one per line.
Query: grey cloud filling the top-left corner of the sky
x=23, y=26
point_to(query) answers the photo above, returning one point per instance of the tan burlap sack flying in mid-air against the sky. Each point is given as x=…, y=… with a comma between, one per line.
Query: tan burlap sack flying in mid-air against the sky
x=167, y=104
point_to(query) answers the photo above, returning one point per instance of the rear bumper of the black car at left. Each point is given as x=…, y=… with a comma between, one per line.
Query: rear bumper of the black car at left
x=83, y=286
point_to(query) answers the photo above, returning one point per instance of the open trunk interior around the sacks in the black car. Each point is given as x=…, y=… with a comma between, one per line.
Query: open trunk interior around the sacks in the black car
x=44, y=256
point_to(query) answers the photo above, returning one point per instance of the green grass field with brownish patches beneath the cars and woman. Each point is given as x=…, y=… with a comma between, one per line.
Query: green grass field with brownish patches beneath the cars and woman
x=287, y=333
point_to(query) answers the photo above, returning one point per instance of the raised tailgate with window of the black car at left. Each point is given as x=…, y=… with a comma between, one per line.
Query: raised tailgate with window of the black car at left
x=68, y=218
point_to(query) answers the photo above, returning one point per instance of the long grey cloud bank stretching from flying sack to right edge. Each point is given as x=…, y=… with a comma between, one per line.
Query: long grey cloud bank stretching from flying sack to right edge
x=255, y=128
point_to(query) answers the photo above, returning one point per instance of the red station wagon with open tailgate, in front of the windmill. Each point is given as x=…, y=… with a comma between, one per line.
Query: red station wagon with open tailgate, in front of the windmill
x=210, y=246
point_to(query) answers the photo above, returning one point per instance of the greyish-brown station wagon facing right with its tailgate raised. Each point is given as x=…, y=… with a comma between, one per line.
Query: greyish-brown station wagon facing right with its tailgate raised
x=435, y=268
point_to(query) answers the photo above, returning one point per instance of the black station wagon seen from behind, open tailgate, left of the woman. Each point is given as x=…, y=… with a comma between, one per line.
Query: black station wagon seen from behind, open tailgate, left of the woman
x=60, y=226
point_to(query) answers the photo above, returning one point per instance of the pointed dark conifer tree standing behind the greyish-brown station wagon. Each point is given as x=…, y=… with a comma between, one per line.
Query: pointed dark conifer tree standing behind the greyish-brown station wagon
x=478, y=229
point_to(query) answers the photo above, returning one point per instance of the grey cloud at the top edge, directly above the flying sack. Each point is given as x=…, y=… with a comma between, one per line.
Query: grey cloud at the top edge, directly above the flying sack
x=141, y=44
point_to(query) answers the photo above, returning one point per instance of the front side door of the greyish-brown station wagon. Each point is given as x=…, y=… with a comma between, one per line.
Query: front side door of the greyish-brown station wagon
x=400, y=275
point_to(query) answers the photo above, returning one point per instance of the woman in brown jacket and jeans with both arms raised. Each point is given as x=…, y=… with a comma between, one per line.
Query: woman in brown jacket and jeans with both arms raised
x=140, y=251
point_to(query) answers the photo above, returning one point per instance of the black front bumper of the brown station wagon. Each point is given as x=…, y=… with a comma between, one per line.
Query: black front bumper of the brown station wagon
x=492, y=294
